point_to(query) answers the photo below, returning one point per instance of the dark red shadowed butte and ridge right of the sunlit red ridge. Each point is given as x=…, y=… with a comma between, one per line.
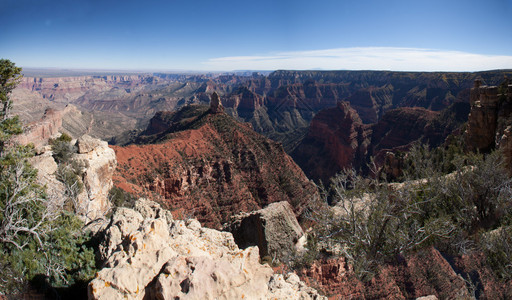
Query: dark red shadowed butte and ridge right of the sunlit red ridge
x=337, y=139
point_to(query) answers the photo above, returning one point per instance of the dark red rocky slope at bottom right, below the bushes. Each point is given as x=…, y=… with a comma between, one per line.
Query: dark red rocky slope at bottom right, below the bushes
x=425, y=273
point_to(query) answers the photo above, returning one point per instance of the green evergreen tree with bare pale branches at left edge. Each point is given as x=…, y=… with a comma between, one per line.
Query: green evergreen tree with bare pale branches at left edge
x=40, y=242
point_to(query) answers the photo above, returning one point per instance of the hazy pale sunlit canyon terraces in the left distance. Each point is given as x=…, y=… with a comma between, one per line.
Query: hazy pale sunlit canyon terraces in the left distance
x=110, y=104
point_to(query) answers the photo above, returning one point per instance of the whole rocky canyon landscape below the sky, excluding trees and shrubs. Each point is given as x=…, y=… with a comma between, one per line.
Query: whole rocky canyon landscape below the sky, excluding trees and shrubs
x=244, y=164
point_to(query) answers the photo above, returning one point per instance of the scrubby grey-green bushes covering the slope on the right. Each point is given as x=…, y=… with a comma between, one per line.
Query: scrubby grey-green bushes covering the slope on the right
x=456, y=202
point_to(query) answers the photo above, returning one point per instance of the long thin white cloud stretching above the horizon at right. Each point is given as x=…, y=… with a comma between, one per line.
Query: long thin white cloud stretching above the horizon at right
x=366, y=58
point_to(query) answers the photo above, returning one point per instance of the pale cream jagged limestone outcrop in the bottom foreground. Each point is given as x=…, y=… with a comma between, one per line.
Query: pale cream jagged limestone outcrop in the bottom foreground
x=148, y=255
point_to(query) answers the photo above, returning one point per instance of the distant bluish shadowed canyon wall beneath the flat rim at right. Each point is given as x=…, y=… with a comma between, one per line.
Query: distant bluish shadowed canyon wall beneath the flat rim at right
x=282, y=104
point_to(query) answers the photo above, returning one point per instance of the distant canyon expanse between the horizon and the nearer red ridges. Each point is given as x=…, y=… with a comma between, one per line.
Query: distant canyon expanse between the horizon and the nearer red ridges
x=280, y=105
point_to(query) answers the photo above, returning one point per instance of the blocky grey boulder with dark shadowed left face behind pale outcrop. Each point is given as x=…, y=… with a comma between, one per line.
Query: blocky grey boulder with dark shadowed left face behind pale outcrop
x=274, y=229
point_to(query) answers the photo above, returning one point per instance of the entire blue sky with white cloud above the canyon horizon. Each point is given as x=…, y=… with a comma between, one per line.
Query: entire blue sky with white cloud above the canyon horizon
x=166, y=35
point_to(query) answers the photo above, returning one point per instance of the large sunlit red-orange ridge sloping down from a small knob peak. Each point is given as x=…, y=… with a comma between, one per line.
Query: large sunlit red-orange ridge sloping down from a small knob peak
x=212, y=167
